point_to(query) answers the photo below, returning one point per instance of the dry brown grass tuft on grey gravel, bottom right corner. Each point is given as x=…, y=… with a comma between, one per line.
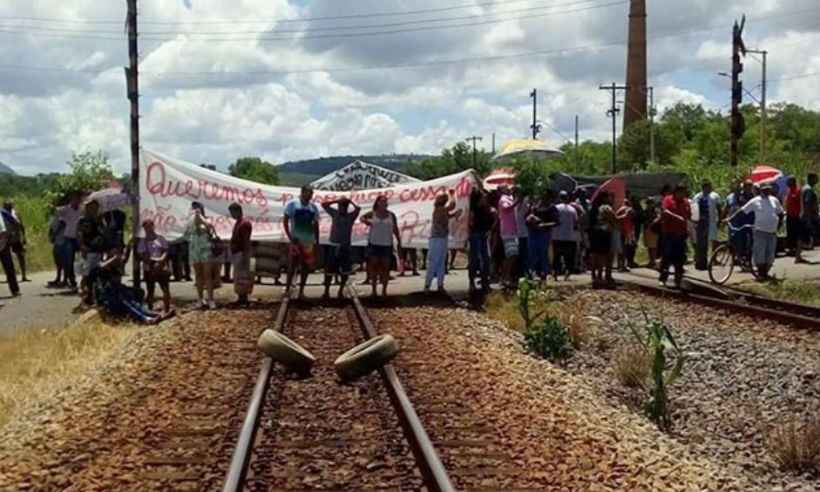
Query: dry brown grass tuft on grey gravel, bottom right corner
x=796, y=446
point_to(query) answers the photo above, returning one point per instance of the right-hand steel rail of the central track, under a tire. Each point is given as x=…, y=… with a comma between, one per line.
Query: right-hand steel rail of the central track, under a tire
x=427, y=458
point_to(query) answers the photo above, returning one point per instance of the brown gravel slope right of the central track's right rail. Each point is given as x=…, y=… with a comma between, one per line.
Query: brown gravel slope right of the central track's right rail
x=562, y=434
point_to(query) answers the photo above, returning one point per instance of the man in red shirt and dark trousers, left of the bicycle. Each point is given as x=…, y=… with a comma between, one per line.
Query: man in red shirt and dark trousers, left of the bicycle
x=674, y=224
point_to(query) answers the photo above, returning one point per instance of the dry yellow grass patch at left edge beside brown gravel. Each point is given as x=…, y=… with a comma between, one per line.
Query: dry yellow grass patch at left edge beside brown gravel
x=37, y=363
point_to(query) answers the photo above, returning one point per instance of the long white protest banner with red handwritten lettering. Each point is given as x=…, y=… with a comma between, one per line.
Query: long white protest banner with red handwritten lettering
x=168, y=186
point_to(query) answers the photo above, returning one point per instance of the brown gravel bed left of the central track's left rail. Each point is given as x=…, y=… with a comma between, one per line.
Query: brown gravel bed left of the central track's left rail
x=162, y=415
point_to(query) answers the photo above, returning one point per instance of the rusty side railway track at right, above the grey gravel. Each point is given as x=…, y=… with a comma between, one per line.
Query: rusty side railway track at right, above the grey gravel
x=798, y=315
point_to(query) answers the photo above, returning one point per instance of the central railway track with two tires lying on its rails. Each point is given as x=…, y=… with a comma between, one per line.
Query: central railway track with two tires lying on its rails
x=315, y=433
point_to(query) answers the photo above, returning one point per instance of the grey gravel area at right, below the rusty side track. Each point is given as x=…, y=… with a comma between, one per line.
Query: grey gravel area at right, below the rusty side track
x=743, y=376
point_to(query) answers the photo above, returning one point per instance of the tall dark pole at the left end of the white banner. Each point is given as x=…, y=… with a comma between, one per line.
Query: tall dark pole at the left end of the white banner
x=132, y=84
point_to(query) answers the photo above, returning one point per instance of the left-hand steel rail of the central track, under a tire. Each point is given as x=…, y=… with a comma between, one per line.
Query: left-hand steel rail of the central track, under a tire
x=235, y=479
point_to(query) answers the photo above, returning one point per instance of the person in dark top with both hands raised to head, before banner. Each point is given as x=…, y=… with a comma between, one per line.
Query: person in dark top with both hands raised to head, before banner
x=338, y=257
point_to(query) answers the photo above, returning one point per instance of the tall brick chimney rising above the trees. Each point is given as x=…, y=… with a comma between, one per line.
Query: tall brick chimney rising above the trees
x=636, y=95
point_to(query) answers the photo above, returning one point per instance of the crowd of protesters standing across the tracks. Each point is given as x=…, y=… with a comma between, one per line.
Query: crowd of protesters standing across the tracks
x=510, y=236
